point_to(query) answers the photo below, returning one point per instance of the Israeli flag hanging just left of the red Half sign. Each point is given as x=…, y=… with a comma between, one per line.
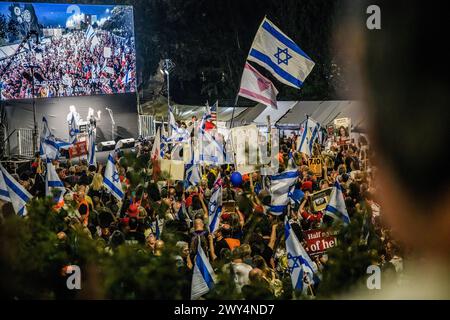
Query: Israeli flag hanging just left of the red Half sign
x=302, y=269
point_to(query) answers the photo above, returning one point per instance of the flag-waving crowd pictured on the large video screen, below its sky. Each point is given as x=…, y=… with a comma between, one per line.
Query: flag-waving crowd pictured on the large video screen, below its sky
x=72, y=65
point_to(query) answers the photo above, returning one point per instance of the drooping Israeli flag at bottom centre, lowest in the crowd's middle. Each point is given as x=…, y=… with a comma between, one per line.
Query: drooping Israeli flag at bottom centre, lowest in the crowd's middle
x=203, y=277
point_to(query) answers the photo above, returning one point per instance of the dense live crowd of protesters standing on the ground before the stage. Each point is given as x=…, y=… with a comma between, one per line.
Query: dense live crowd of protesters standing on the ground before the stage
x=248, y=246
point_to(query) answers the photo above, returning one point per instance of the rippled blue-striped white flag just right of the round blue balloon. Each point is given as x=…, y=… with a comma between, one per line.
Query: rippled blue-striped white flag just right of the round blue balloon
x=280, y=186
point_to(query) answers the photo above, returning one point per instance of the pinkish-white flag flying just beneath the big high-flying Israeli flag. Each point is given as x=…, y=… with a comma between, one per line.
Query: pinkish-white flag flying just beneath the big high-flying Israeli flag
x=256, y=87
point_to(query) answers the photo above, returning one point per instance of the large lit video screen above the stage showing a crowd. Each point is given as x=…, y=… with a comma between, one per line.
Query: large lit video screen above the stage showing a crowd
x=76, y=50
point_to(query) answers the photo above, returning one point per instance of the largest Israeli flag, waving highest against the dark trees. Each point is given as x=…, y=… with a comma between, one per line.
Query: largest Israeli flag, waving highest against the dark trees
x=276, y=52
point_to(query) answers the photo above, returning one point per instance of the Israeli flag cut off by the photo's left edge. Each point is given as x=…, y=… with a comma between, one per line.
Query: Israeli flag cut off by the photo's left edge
x=17, y=194
